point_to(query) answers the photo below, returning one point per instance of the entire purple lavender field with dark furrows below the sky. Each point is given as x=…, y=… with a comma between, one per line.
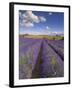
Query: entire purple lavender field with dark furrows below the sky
x=41, y=58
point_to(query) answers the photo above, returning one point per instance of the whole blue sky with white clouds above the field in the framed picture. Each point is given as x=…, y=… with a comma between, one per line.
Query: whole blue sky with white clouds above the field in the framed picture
x=41, y=22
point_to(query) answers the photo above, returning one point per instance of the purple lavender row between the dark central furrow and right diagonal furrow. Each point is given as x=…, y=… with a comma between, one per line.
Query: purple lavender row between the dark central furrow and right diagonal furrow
x=52, y=65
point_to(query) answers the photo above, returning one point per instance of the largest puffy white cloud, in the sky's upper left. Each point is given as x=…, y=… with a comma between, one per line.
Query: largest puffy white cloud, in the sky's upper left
x=28, y=19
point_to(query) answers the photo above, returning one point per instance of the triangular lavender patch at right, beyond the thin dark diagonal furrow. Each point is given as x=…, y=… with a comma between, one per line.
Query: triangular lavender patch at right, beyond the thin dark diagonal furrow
x=57, y=46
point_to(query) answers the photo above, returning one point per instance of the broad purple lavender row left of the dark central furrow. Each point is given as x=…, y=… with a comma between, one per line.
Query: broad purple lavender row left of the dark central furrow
x=29, y=51
